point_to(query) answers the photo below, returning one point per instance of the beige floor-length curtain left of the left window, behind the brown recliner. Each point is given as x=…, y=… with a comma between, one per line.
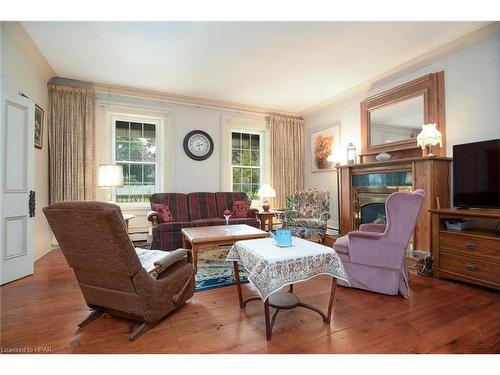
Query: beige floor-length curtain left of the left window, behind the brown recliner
x=71, y=143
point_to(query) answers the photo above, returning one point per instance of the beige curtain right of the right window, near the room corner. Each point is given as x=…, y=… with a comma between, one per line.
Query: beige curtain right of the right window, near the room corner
x=287, y=156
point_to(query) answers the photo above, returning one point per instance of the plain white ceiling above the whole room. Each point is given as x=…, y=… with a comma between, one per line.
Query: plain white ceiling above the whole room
x=287, y=66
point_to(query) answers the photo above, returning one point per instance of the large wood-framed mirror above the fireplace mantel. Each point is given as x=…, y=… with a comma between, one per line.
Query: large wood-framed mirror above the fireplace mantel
x=391, y=120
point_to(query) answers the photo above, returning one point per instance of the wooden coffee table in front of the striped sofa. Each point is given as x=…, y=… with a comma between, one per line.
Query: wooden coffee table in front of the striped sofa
x=199, y=237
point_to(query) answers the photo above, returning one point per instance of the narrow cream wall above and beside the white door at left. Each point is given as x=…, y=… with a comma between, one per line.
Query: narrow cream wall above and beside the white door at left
x=25, y=70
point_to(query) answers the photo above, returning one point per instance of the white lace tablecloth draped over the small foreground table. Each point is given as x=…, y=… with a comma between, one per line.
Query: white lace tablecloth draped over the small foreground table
x=271, y=267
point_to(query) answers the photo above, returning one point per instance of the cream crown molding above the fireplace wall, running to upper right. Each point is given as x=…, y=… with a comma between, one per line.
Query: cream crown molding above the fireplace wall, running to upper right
x=483, y=34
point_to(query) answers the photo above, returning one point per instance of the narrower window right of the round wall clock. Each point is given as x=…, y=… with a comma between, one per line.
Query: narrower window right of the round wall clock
x=246, y=162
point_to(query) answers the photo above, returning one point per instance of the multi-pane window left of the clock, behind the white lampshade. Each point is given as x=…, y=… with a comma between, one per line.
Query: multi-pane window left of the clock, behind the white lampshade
x=135, y=150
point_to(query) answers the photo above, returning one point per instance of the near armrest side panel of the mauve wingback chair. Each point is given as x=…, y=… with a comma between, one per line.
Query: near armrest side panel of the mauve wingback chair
x=373, y=249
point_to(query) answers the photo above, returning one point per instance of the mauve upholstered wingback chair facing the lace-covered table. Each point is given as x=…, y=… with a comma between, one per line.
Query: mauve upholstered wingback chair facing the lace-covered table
x=374, y=256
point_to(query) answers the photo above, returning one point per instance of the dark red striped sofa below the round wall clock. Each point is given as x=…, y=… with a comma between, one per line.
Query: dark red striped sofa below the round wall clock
x=194, y=210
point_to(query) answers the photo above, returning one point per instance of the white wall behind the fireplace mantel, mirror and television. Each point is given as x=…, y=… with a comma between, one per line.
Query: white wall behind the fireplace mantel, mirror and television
x=472, y=96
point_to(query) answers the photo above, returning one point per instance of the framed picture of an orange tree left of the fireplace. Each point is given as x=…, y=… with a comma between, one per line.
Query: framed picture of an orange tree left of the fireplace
x=325, y=149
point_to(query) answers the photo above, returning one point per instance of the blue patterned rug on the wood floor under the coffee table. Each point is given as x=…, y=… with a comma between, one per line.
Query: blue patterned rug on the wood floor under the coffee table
x=214, y=271
